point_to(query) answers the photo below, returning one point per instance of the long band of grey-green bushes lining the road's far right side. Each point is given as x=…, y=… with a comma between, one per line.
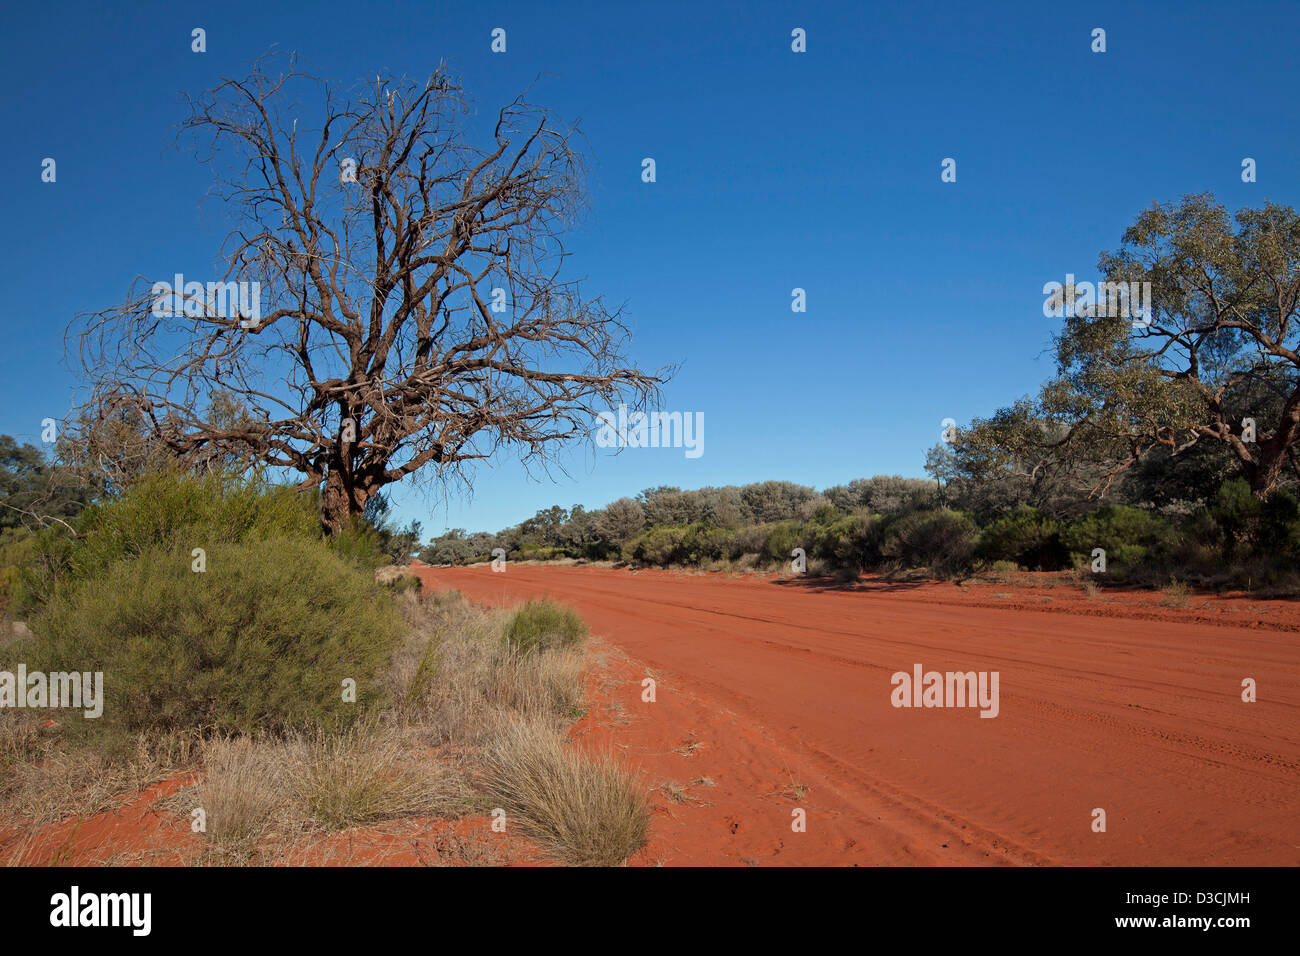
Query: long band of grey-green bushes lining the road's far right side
x=1224, y=539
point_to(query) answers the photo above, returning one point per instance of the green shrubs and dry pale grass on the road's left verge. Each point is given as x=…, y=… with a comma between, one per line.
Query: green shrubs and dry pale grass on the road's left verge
x=304, y=691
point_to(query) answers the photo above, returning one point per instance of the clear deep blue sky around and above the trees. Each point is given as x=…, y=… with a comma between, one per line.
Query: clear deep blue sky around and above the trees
x=775, y=170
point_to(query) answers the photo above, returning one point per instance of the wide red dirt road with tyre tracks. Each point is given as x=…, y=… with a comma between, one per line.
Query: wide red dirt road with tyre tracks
x=774, y=697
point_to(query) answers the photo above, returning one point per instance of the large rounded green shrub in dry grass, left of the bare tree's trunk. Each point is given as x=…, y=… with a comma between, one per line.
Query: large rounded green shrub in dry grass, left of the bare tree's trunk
x=261, y=641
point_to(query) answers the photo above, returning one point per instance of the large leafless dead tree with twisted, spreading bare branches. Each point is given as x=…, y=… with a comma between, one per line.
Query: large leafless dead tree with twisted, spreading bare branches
x=413, y=313
